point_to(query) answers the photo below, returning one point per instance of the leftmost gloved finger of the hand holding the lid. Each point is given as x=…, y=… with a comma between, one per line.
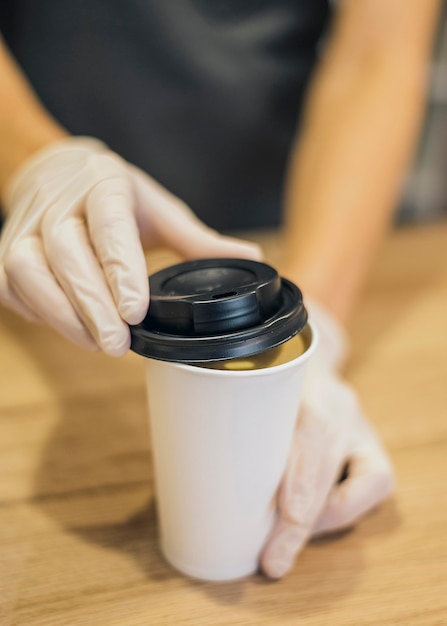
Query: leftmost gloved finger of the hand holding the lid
x=32, y=280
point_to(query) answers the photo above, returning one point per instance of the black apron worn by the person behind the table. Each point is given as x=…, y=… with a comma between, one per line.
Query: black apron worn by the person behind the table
x=202, y=94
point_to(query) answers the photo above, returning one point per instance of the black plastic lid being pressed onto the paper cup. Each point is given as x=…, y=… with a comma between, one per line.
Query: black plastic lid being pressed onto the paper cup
x=217, y=309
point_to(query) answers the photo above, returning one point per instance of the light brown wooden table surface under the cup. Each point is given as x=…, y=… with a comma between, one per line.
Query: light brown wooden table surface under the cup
x=77, y=518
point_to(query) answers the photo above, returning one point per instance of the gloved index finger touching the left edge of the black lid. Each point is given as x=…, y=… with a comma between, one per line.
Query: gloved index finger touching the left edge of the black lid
x=116, y=240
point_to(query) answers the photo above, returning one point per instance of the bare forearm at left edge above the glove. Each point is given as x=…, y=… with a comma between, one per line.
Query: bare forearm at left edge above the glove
x=25, y=126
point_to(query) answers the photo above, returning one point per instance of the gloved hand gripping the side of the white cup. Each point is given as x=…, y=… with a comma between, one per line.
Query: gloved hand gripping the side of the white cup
x=332, y=438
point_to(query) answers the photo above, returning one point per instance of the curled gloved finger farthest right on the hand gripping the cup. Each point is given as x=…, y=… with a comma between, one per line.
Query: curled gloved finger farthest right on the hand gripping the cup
x=369, y=482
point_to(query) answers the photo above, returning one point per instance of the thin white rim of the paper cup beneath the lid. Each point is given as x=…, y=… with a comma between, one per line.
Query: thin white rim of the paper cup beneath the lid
x=266, y=371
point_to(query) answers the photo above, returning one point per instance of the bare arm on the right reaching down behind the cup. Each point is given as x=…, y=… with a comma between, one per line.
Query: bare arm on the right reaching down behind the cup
x=362, y=119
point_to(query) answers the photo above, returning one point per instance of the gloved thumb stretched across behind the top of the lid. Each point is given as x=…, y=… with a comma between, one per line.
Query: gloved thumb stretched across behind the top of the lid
x=163, y=218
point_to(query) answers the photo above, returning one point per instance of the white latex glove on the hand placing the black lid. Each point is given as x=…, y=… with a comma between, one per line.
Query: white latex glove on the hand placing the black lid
x=71, y=251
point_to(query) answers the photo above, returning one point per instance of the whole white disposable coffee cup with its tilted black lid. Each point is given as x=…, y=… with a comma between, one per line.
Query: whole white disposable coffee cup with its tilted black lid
x=226, y=343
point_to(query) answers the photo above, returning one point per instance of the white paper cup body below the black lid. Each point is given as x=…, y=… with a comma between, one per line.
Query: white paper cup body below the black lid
x=220, y=440
